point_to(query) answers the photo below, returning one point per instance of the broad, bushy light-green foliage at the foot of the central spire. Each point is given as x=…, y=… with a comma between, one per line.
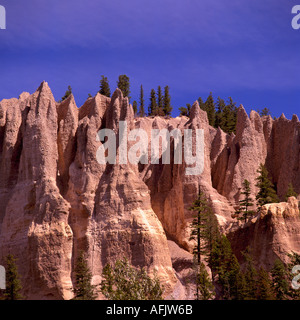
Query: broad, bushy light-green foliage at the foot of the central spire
x=124, y=282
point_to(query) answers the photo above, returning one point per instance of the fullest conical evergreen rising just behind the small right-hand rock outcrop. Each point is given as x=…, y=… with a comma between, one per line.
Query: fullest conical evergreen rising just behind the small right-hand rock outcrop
x=266, y=193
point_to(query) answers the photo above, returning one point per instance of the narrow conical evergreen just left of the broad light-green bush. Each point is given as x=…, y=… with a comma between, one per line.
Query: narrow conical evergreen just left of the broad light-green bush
x=83, y=289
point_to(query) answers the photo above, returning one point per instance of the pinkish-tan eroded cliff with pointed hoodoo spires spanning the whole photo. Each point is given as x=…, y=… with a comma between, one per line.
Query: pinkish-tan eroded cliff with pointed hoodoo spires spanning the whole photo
x=56, y=199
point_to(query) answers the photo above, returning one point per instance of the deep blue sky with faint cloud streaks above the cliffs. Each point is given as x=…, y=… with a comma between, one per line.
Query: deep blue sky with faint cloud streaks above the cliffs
x=243, y=49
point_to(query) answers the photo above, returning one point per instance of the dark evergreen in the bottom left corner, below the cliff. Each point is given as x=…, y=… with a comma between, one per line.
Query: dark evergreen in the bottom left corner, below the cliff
x=13, y=283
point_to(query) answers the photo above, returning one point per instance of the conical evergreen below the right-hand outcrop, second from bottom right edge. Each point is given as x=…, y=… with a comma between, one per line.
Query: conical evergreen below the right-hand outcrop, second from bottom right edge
x=279, y=280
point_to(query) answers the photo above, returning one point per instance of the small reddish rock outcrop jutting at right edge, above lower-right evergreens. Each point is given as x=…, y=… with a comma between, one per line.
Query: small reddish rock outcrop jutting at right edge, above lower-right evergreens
x=271, y=235
